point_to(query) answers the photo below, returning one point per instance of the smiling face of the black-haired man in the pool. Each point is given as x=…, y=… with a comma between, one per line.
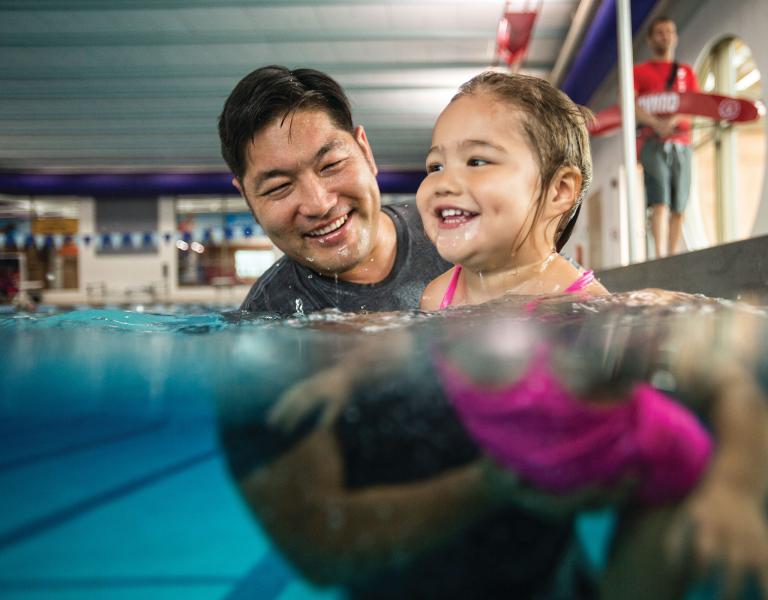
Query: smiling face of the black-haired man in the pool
x=312, y=188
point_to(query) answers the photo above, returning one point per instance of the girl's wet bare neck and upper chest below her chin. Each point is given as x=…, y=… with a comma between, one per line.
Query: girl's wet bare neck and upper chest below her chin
x=482, y=286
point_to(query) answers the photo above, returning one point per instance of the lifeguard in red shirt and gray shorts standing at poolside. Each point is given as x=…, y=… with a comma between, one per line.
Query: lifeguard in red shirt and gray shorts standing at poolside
x=665, y=151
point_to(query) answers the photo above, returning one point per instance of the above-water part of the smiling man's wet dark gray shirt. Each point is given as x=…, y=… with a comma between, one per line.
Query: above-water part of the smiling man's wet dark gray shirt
x=289, y=288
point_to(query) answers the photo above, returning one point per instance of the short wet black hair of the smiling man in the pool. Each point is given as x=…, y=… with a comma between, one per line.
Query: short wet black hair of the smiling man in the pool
x=276, y=92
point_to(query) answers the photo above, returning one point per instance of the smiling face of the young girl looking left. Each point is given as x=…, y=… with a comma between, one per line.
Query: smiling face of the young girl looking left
x=478, y=199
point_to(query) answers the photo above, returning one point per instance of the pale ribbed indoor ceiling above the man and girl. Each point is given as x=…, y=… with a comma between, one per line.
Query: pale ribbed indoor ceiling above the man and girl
x=95, y=85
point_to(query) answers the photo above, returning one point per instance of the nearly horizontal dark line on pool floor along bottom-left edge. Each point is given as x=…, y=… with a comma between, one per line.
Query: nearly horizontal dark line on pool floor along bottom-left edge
x=62, y=584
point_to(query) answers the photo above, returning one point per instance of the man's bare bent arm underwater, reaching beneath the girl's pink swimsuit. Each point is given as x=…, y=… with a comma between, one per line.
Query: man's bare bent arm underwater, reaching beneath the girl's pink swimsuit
x=334, y=535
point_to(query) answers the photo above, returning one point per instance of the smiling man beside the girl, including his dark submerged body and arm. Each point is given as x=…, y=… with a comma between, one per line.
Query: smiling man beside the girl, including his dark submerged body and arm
x=376, y=504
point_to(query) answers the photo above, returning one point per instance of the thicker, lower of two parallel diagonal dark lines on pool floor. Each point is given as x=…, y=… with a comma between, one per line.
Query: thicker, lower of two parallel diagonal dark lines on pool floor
x=61, y=516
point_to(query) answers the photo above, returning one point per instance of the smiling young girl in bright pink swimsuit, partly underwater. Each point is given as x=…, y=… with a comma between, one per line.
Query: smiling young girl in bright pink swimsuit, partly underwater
x=506, y=174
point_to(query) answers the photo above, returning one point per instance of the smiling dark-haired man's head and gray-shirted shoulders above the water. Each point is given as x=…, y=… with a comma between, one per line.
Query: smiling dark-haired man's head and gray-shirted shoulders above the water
x=309, y=177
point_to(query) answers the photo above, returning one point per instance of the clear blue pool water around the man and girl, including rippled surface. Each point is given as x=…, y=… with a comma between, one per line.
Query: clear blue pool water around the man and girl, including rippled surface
x=113, y=482
